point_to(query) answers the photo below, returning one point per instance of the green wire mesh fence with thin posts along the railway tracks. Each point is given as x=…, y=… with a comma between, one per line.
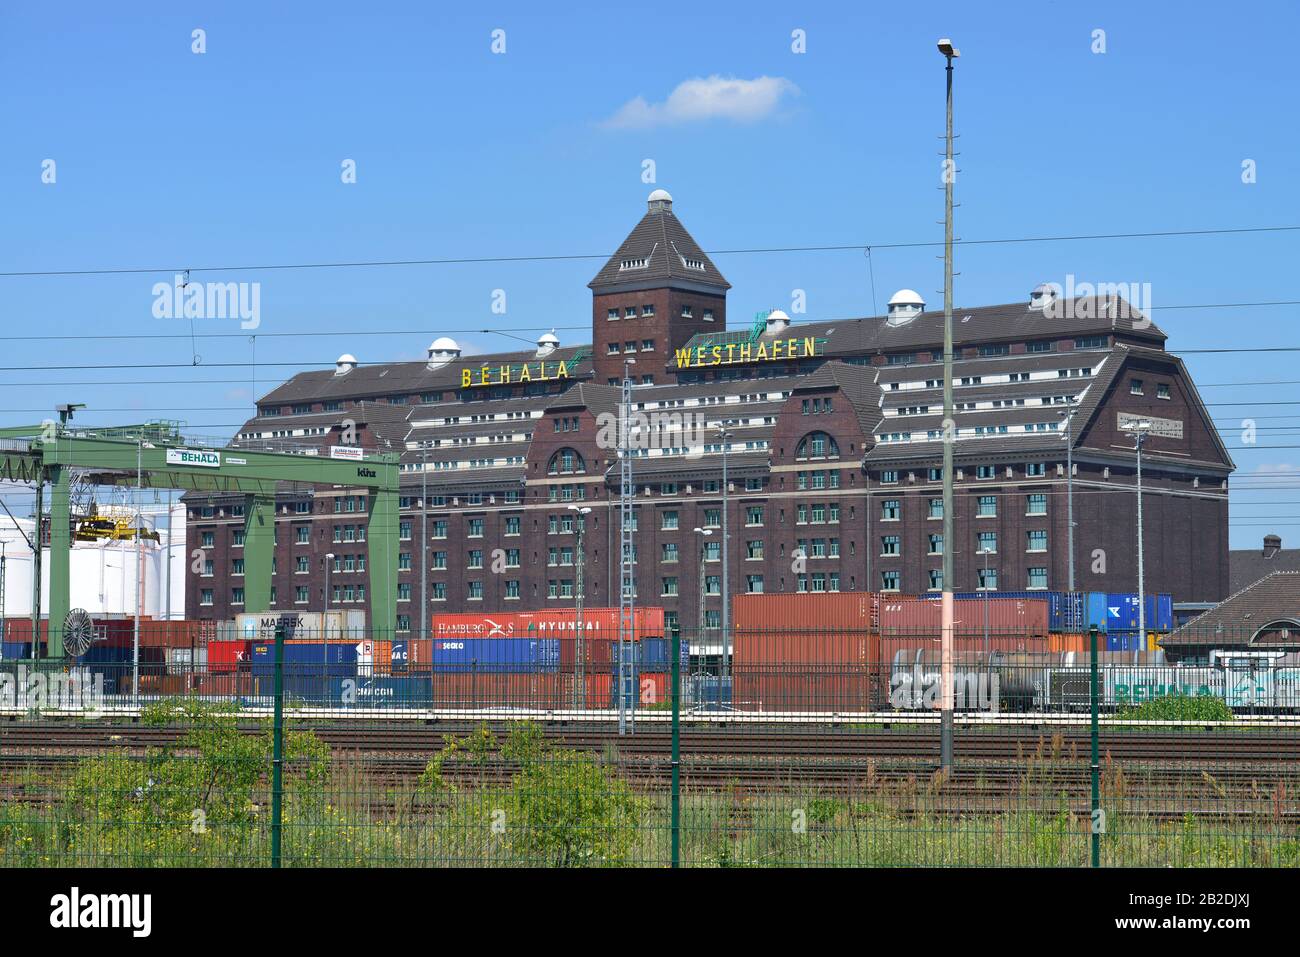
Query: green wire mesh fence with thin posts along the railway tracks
x=1061, y=757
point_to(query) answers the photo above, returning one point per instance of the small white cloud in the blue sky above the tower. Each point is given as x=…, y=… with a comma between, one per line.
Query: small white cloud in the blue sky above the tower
x=700, y=99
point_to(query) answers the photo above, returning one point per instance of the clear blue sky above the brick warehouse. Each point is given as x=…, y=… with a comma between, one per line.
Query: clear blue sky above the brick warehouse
x=171, y=159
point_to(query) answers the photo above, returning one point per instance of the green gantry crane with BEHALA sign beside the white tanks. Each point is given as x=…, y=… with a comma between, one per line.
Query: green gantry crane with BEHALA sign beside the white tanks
x=157, y=457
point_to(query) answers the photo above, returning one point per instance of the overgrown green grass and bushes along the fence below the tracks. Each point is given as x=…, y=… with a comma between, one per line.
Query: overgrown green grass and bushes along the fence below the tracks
x=207, y=804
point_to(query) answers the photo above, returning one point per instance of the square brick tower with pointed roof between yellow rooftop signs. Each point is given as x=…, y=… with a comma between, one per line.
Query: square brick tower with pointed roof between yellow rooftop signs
x=657, y=292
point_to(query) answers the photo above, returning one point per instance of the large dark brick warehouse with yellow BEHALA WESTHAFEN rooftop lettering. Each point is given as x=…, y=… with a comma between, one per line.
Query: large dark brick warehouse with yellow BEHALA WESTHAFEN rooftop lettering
x=834, y=458
